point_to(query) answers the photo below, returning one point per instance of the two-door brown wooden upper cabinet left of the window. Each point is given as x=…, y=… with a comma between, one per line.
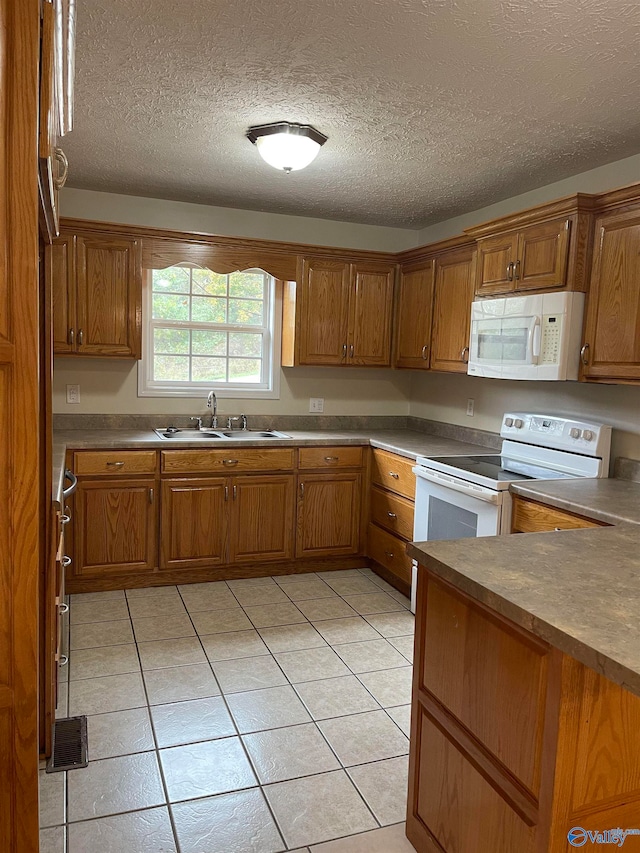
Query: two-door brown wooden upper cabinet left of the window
x=97, y=295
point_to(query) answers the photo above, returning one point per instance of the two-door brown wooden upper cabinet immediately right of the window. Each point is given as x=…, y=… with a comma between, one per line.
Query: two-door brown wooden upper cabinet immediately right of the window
x=339, y=314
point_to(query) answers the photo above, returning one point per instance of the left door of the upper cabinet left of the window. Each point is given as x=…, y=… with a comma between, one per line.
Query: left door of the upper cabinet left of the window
x=61, y=257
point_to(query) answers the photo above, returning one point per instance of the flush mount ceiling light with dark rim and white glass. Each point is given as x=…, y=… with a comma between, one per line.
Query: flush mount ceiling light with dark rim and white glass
x=285, y=145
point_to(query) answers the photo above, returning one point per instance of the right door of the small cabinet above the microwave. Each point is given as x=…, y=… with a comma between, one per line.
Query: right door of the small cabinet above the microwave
x=543, y=252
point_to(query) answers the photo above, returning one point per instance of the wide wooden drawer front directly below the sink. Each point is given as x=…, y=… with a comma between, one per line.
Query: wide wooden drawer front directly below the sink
x=256, y=459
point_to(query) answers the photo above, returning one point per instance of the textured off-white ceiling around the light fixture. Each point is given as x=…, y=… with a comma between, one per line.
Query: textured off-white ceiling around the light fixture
x=432, y=107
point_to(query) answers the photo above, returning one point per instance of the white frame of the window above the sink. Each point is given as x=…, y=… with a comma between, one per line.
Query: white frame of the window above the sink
x=268, y=389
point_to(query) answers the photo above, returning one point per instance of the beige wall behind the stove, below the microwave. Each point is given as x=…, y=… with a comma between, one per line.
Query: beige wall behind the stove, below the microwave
x=443, y=397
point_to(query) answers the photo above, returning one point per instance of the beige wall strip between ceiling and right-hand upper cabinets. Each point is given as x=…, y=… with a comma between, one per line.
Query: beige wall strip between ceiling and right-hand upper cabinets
x=609, y=177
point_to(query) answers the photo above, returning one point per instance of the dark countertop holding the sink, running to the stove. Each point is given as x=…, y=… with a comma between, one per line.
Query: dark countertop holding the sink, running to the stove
x=409, y=443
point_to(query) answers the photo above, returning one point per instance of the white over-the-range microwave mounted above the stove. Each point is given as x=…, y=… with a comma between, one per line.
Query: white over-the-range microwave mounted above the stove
x=534, y=336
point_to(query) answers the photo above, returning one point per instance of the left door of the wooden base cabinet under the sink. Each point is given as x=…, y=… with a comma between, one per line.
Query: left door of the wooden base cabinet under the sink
x=194, y=523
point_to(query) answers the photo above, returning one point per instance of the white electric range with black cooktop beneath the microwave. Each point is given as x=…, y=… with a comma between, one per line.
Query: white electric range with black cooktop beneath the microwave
x=459, y=497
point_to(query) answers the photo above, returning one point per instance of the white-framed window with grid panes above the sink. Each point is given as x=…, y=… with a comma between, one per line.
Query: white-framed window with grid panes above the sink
x=206, y=330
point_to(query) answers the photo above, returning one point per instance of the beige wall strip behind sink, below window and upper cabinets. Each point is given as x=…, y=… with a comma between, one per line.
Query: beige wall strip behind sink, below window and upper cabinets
x=110, y=387
